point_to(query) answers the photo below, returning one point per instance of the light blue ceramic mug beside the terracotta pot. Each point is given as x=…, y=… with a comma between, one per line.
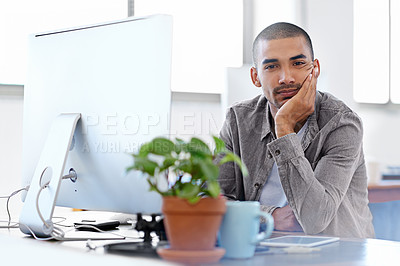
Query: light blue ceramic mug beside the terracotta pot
x=239, y=231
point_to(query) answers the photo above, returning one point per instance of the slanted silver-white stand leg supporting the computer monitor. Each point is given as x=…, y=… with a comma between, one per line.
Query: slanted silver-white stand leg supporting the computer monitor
x=37, y=211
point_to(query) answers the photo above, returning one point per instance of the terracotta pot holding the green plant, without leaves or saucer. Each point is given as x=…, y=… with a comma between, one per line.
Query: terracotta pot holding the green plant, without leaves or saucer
x=192, y=226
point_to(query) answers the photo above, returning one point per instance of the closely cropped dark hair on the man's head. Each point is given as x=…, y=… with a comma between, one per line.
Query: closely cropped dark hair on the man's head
x=280, y=30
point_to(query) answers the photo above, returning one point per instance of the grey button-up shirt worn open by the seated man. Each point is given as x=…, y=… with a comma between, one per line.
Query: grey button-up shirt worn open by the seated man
x=323, y=175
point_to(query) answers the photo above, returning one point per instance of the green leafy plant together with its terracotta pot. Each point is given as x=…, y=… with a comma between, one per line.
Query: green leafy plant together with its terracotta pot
x=192, y=206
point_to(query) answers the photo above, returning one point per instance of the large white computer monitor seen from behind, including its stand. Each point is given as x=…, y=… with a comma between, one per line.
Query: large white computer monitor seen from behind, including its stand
x=113, y=79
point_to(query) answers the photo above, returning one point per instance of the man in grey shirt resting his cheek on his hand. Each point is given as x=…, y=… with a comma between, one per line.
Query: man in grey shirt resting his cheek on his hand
x=303, y=147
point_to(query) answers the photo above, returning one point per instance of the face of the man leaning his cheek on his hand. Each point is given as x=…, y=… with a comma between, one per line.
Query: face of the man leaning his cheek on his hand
x=282, y=66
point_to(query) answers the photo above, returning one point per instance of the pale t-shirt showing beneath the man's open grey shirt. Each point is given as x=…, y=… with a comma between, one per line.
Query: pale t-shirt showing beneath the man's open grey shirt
x=272, y=193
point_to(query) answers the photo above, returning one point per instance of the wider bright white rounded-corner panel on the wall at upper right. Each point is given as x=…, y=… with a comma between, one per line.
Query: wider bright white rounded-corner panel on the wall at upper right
x=375, y=49
